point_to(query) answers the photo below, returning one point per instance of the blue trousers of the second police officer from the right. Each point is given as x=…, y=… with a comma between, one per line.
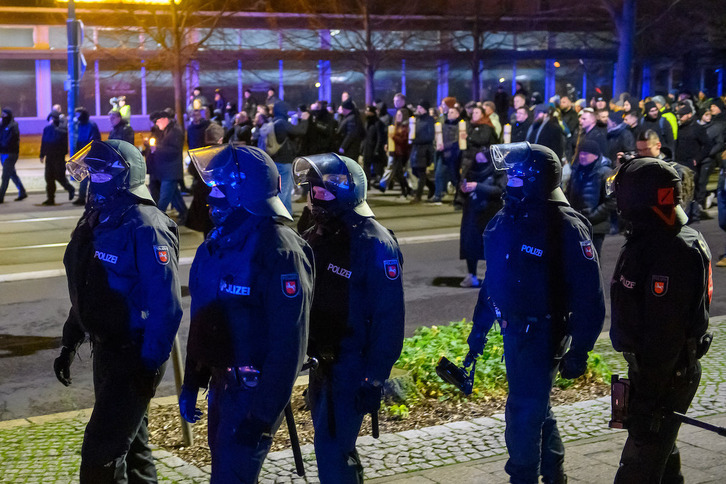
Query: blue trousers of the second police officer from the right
x=533, y=441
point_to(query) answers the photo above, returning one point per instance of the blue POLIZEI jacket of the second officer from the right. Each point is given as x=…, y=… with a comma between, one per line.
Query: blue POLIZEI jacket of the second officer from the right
x=541, y=265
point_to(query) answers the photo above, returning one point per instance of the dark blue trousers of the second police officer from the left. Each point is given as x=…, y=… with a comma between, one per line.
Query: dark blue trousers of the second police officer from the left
x=234, y=460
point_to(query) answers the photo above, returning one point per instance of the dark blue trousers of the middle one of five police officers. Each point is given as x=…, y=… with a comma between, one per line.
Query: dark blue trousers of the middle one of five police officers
x=332, y=393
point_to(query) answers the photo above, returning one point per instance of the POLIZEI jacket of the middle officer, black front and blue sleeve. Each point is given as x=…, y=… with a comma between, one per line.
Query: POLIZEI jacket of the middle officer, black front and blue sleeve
x=358, y=310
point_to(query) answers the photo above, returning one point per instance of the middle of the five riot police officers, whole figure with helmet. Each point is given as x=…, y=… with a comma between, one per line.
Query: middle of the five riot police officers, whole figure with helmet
x=356, y=321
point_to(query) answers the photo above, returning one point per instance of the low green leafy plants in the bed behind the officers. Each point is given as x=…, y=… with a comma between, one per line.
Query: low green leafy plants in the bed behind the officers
x=422, y=352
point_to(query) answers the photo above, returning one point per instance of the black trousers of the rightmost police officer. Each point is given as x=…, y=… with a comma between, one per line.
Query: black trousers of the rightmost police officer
x=650, y=454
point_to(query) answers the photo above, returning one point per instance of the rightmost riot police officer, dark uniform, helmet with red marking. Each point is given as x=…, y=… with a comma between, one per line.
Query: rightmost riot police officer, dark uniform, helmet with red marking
x=660, y=292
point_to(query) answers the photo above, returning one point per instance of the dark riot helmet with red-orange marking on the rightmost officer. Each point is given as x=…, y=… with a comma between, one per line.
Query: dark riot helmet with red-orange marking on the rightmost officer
x=648, y=192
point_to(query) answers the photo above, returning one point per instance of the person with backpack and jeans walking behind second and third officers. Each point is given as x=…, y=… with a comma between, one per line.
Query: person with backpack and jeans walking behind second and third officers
x=275, y=140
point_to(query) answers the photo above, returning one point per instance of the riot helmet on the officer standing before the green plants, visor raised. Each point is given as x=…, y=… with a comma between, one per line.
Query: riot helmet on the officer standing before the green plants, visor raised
x=534, y=169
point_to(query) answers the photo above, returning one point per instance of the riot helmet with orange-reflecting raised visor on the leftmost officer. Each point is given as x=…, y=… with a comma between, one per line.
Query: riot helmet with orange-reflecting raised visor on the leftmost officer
x=112, y=167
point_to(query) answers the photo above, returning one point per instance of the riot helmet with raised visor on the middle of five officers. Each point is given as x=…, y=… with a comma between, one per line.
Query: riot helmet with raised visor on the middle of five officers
x=337, y=183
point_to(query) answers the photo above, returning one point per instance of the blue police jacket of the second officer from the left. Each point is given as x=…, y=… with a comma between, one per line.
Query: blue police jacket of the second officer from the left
x=251, y=285
